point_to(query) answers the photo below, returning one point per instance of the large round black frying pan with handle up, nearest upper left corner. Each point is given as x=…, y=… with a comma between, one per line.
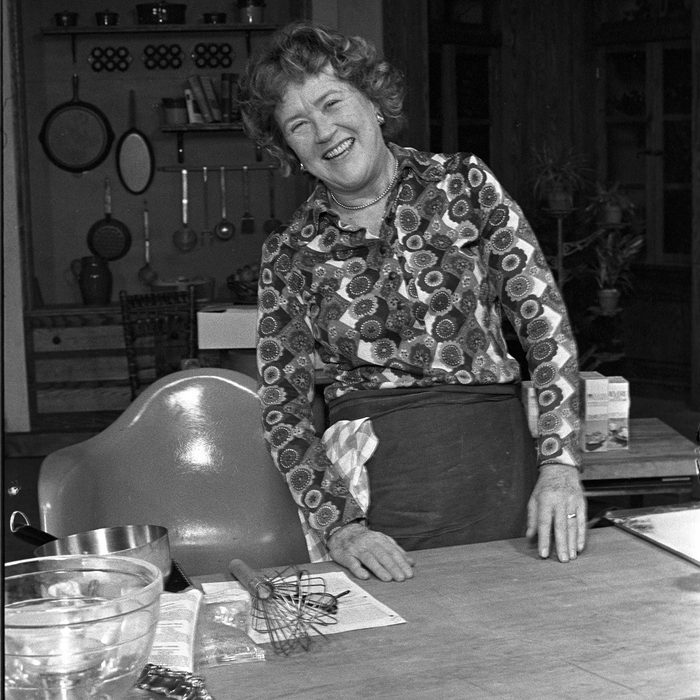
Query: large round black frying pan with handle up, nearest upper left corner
x=76, y=136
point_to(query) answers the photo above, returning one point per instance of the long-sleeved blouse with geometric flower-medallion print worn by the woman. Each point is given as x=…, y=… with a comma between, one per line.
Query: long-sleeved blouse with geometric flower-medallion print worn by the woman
x=416, y=304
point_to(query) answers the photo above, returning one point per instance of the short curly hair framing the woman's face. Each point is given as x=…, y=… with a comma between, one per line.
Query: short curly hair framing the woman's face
x=301, y=50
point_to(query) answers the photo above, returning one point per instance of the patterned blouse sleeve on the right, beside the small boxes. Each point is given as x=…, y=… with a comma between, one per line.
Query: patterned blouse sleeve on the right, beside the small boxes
x=532, y=302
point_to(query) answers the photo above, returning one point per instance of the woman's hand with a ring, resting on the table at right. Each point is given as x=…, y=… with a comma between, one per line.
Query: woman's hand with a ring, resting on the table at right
x=558, y=503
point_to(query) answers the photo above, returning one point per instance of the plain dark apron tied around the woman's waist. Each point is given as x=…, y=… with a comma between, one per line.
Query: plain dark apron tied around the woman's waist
x=454, y=464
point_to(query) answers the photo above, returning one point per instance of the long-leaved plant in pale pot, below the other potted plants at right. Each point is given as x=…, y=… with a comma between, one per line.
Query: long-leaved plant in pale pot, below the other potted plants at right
x=614, y=253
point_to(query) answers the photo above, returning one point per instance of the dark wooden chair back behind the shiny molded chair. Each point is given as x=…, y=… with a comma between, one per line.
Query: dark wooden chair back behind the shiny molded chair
x=161, y=326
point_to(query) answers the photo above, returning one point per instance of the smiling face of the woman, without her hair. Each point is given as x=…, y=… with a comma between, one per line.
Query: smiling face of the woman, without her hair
x=332, y=127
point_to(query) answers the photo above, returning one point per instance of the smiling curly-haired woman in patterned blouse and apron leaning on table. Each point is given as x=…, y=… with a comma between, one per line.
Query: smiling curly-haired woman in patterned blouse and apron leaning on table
x=393, y=276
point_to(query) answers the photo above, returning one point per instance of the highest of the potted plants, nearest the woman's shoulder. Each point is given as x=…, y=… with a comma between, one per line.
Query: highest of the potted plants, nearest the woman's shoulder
x=558, y=174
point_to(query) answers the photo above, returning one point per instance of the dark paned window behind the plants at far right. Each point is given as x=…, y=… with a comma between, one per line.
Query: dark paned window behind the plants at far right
x=647, y=140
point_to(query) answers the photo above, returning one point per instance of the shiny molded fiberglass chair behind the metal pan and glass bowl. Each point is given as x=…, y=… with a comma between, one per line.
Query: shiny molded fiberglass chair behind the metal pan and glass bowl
x=187, y=454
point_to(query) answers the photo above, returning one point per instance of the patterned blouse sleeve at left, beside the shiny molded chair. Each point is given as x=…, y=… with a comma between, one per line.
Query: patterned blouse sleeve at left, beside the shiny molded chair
x=285, y=353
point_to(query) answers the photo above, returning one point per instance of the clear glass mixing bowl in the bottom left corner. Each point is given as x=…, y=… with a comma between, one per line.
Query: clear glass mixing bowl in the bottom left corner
x=78, y=626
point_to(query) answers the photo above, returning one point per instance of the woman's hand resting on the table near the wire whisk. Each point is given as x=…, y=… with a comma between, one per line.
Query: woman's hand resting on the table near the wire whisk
x=364, y=551
